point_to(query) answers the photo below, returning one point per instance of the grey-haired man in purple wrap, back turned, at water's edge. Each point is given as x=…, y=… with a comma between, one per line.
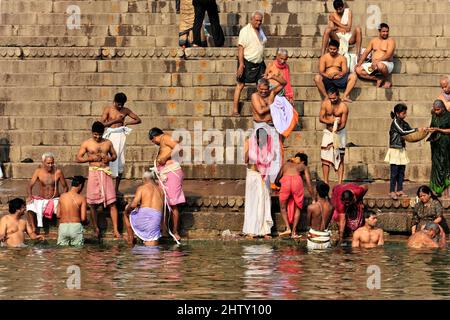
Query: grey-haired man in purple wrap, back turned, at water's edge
x=144, y=214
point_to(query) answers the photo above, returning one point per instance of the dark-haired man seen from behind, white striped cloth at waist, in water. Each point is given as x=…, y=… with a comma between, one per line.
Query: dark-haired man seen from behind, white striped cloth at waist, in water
x=319, y=218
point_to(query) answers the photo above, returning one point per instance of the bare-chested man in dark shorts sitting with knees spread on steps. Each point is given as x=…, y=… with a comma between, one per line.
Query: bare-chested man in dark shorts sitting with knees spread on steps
x=333, y=71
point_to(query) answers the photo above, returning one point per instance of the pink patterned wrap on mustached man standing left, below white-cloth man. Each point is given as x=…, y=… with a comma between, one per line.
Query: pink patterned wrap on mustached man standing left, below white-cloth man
x=100, y=188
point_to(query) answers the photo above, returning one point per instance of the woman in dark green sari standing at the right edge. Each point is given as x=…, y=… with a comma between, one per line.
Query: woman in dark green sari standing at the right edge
x=440, y=149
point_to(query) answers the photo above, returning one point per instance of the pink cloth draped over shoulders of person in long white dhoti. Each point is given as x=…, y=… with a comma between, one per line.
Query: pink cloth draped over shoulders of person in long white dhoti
x=261, y=157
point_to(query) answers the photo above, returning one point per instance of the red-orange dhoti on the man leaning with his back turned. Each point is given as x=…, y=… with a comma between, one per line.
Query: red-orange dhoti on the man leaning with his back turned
x=292, y=189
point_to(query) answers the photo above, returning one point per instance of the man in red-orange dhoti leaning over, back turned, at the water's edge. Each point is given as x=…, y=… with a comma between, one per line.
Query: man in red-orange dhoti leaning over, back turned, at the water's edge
x=292, y=191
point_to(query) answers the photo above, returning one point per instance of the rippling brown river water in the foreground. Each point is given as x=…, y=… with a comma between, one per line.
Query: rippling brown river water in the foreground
x=223, y=270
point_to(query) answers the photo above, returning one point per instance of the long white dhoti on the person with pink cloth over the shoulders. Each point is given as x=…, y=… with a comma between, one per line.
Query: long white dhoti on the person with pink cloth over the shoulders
x=257, y=217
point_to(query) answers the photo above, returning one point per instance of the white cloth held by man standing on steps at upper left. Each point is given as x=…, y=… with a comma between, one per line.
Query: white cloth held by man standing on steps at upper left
x=118, y=138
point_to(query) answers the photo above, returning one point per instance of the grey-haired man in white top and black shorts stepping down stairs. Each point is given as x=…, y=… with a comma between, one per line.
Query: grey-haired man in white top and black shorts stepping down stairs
x=251, y=66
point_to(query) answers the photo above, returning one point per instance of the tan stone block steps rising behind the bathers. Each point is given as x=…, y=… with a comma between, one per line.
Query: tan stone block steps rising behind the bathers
x=55, y=81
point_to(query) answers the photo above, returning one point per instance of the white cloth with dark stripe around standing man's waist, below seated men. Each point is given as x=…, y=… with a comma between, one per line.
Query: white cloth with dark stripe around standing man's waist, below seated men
x=333, y=147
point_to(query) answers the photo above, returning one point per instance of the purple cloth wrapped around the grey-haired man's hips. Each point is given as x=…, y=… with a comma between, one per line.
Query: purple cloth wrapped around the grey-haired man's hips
x=146, y=223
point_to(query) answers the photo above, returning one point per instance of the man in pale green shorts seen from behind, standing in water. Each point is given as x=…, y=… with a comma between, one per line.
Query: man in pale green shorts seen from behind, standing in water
x=72, y=214
